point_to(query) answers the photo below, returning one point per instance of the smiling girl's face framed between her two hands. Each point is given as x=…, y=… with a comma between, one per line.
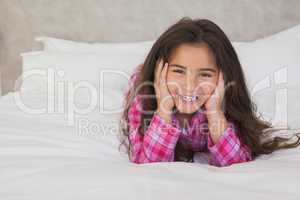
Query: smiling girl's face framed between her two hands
x=192, y=76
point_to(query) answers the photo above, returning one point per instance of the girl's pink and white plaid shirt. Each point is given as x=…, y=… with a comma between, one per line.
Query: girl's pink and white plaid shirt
x=160, y=138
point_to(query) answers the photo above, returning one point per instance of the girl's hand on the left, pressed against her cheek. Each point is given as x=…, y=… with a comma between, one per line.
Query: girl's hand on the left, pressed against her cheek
x=165, y=102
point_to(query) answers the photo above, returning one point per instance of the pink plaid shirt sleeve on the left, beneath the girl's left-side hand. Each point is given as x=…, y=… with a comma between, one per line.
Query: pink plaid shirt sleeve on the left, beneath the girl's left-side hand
x=159, y=139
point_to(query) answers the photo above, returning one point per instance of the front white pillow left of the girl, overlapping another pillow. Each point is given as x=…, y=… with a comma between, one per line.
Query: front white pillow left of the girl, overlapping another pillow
x=80, y=75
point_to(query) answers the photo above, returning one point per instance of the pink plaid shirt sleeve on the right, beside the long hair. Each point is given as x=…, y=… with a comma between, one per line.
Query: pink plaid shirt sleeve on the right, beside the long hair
x=229, y=149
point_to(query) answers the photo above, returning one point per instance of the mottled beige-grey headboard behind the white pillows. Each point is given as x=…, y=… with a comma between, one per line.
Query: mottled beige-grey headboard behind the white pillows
x=128, y=20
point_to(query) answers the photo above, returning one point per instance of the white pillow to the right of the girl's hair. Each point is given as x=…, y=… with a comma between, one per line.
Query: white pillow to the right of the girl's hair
x=272, y=68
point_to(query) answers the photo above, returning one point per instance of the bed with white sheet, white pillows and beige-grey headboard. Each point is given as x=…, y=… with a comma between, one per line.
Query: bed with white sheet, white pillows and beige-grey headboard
x=48, y=153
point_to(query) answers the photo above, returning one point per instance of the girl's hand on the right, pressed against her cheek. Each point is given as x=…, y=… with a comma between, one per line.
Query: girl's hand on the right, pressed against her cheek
x=214, y=102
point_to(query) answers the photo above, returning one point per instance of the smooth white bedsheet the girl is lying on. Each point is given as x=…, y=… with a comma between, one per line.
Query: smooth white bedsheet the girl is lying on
x=41, y=157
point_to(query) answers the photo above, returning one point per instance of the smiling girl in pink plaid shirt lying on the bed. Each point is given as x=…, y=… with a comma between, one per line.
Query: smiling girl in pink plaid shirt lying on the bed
x=190, y=96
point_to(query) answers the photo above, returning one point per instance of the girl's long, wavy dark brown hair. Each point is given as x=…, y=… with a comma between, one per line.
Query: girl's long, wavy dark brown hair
x=239, y=108
